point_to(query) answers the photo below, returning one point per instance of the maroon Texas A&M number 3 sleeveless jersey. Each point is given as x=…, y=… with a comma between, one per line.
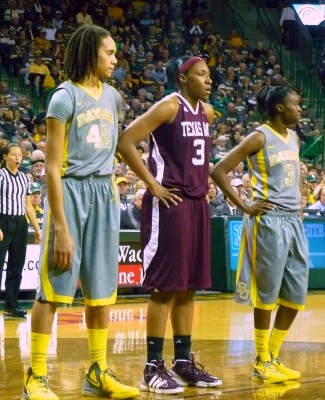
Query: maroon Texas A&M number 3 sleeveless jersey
x=179, y=151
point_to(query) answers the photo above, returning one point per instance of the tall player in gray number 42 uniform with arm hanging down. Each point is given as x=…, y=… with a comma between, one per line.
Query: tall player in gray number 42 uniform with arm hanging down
x=82, y=120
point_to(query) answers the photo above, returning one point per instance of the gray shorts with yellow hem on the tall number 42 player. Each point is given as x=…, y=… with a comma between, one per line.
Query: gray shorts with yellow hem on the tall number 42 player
x=92, y=212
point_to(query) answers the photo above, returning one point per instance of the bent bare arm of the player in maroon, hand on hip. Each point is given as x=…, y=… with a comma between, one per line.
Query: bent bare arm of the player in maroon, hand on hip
x=160, y=113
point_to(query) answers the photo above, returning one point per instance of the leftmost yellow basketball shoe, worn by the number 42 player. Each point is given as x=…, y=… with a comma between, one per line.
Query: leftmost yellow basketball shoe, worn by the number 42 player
x=37, y=388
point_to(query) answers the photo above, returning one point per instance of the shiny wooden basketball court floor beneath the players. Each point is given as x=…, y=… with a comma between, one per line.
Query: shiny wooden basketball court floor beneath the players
x=222, y=341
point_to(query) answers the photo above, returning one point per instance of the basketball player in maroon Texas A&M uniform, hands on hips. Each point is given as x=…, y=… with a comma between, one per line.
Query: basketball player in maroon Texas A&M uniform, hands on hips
x=175, y=222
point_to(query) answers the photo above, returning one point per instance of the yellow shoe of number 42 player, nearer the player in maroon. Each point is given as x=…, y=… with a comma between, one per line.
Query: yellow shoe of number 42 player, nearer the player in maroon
x=99, y=383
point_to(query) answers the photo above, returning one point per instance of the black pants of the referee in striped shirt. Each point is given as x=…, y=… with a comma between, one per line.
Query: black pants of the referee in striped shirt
x=15, y=234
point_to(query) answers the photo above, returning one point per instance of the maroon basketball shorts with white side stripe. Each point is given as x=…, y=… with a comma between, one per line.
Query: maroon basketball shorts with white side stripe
x=176, y=245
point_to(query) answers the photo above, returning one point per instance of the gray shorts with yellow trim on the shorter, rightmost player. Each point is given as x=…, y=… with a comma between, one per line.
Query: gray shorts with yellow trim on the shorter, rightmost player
x=273, y=261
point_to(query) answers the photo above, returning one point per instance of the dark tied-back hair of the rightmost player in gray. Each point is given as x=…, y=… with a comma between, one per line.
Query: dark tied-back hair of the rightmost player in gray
x=268, y=98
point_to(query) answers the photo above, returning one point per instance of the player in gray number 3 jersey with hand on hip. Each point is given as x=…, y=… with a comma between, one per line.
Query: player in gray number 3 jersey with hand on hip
x=273, y=259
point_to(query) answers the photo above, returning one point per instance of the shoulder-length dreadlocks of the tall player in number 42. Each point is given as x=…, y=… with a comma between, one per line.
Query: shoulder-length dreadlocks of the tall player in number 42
x=81, y=54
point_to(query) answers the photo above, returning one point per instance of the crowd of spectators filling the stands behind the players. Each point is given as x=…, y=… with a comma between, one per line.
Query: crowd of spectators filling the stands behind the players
x=33, y=37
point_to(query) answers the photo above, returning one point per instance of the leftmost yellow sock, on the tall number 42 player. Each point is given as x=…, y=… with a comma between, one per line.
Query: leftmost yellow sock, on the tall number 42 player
x=39, y=345
